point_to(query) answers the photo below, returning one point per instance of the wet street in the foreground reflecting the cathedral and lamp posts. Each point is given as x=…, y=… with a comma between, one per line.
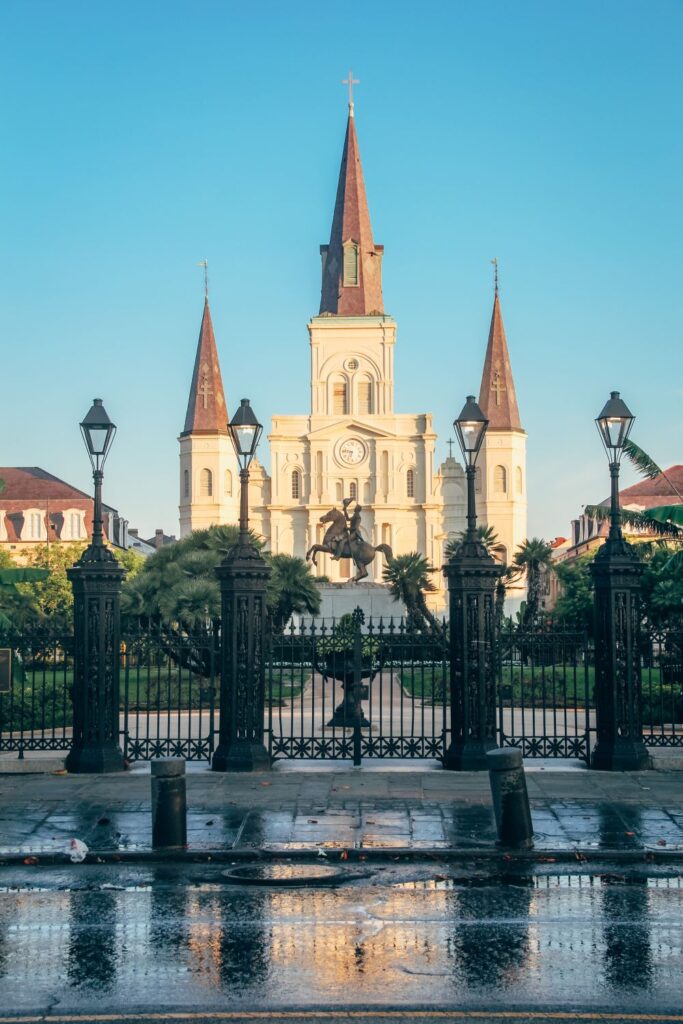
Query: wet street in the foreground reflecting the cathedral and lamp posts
x=90, y=938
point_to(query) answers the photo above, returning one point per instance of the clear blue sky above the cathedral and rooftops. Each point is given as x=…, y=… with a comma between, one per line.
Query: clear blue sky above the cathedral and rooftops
x=140, y=138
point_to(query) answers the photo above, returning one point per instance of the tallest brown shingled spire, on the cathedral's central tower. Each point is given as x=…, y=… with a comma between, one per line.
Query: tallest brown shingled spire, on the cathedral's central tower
x=352, y=263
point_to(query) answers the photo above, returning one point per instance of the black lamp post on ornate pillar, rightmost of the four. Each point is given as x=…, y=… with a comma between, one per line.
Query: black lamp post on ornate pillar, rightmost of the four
x=617, y=575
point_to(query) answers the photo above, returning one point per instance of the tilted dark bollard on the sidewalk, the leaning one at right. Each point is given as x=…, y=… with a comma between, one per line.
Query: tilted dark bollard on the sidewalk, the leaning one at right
x=508, y=790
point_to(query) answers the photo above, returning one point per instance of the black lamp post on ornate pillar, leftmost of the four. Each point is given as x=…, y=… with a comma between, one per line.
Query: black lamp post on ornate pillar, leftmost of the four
x=97, y=580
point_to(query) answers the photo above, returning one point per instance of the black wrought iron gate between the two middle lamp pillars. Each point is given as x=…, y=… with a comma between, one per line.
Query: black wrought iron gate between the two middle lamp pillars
x=374, y=691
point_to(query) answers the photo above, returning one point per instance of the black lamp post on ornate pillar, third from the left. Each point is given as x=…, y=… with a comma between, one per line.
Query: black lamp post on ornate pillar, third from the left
x=472, y=574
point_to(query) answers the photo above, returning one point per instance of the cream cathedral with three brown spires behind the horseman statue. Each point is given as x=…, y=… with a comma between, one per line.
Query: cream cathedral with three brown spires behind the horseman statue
x=352, y=444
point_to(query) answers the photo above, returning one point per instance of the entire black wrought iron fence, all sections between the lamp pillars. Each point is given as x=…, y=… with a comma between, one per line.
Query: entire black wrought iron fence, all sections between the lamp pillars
x=381, y=691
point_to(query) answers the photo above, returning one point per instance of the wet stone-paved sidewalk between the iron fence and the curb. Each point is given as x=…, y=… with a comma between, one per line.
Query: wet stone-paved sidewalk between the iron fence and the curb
x=330, y=807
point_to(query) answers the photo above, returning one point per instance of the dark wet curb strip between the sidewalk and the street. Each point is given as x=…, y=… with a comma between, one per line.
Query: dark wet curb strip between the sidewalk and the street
x=485, y=855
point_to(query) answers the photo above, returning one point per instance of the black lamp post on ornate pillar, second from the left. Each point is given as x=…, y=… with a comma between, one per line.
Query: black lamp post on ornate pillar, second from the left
x=244, y=577
